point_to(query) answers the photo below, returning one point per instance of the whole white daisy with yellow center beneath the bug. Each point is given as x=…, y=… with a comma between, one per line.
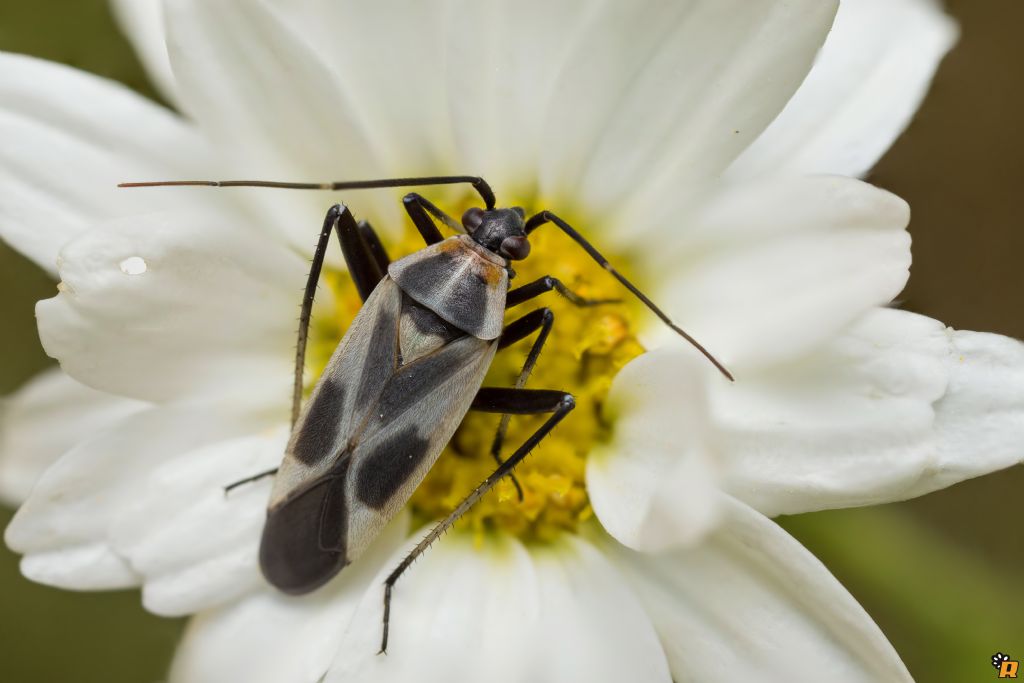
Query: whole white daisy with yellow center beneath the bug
x=692, y=141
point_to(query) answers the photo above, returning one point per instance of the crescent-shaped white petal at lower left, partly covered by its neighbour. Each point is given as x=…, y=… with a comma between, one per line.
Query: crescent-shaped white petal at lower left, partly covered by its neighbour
x=64, y=529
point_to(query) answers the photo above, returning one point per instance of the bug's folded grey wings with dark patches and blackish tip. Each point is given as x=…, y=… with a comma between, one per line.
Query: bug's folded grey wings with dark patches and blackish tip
x=367, y=438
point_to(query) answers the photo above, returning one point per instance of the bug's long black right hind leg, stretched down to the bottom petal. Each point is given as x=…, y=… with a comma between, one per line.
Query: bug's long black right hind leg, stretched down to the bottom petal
x=489, y=400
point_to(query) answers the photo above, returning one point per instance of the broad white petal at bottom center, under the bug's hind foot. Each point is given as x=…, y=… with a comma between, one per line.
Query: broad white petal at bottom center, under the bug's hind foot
x=499, y=612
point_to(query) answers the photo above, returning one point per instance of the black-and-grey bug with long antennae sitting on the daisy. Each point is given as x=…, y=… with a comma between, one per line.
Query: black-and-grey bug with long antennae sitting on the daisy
x=408, y=370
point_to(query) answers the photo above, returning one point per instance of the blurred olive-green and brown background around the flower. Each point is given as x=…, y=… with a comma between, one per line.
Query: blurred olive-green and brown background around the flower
x=942, y=575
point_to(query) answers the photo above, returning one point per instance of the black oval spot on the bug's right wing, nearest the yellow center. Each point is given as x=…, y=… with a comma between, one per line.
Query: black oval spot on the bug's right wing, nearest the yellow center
x=389, y=467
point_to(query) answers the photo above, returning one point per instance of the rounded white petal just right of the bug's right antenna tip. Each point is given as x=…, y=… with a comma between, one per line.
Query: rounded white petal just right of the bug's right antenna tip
x=769, y=271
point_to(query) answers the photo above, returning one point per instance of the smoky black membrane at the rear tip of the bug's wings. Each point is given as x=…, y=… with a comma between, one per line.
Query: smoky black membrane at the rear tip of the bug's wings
x=305, y=539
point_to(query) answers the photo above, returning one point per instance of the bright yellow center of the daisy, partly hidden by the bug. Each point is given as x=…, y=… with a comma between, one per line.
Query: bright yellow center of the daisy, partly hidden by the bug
x=585, y=351
